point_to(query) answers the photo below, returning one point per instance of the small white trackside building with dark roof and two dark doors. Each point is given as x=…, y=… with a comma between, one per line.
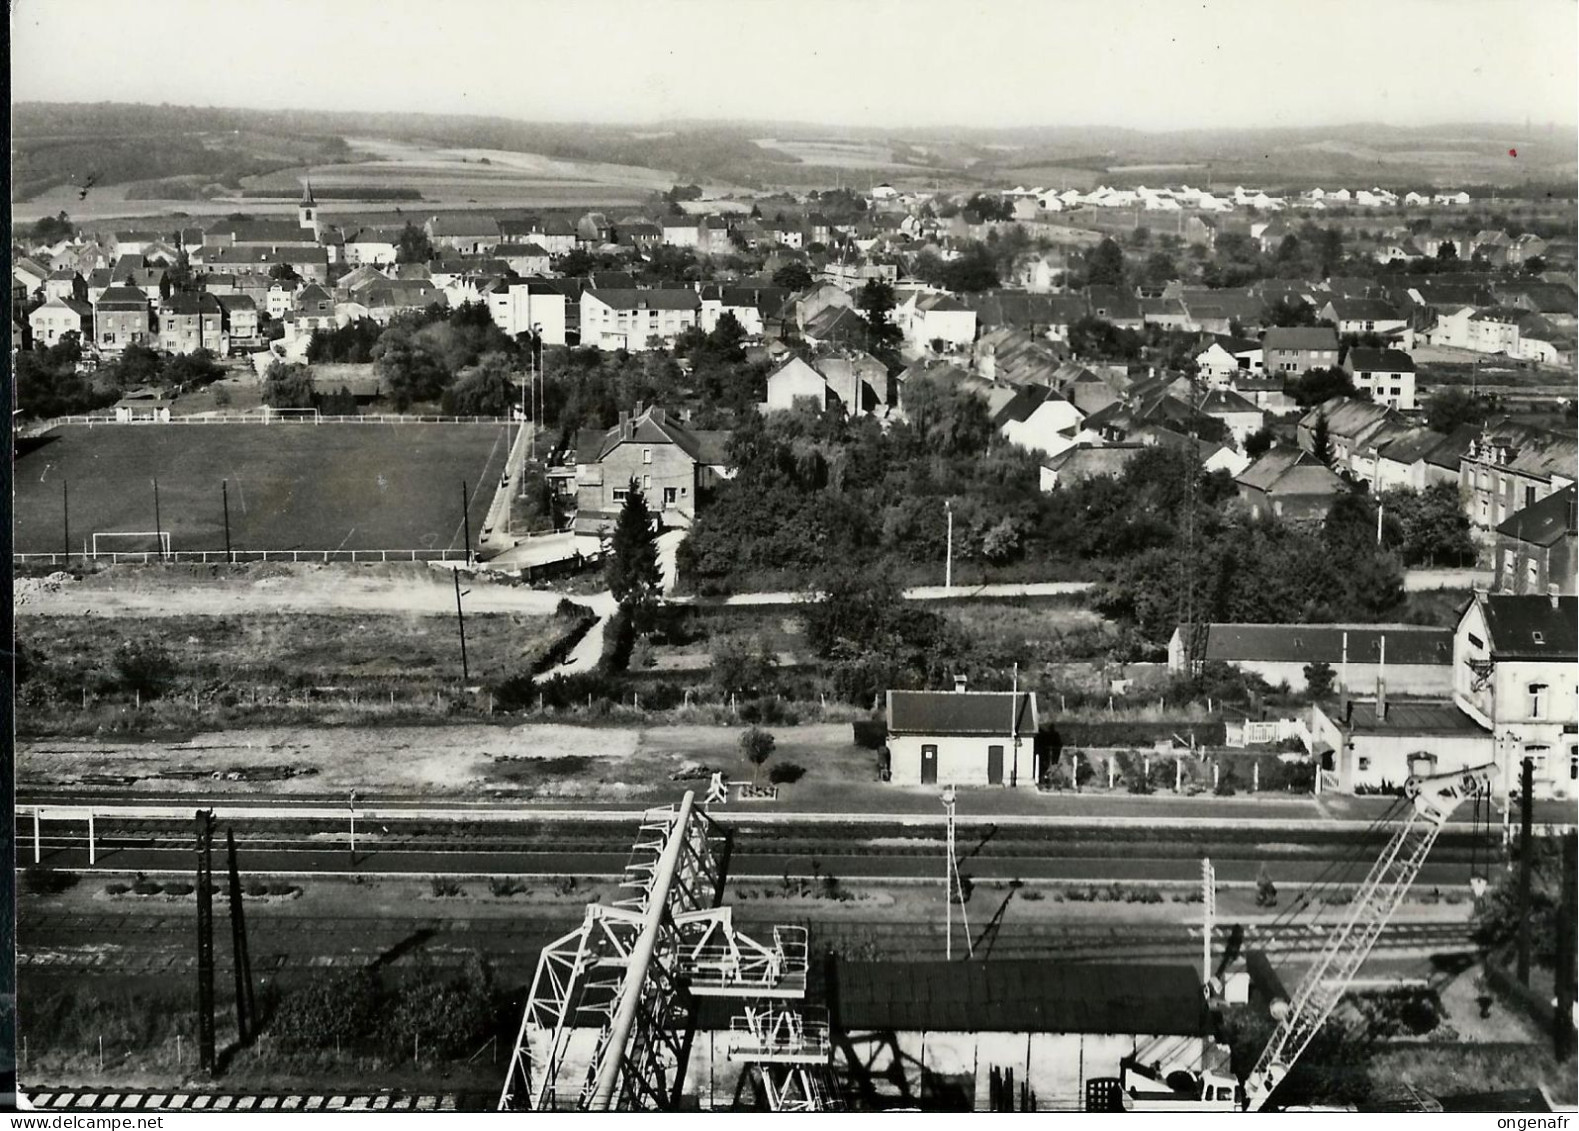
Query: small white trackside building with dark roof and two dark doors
x=962, y=738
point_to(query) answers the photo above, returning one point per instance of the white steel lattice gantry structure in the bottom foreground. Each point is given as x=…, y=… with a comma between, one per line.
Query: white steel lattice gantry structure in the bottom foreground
x=634, y=971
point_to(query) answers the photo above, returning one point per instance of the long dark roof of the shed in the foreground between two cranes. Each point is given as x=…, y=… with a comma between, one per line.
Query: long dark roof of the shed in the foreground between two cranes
x=1021, y=996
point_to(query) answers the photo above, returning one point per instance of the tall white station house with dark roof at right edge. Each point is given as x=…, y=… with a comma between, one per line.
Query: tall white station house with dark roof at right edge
x=1517, y=663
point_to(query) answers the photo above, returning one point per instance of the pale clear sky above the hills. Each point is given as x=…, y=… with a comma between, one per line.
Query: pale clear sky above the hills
x=1135, y=64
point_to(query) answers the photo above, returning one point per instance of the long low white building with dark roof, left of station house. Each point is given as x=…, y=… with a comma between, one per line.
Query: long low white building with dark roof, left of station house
x=1409, y=658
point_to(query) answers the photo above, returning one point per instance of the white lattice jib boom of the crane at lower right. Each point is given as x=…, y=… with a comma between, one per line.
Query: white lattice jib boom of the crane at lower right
x=1348, y=949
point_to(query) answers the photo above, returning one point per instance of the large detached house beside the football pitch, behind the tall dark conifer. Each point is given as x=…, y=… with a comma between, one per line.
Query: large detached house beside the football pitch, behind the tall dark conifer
x=672, y=465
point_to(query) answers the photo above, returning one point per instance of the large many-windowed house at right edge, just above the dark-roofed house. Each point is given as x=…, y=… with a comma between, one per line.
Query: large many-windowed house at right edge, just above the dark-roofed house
x=1513, y=467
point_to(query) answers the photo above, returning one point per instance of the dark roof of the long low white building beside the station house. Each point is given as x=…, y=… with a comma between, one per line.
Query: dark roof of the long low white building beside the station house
x=1308, y=644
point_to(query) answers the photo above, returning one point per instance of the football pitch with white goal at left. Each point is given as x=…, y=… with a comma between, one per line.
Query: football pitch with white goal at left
x=293, y=487
